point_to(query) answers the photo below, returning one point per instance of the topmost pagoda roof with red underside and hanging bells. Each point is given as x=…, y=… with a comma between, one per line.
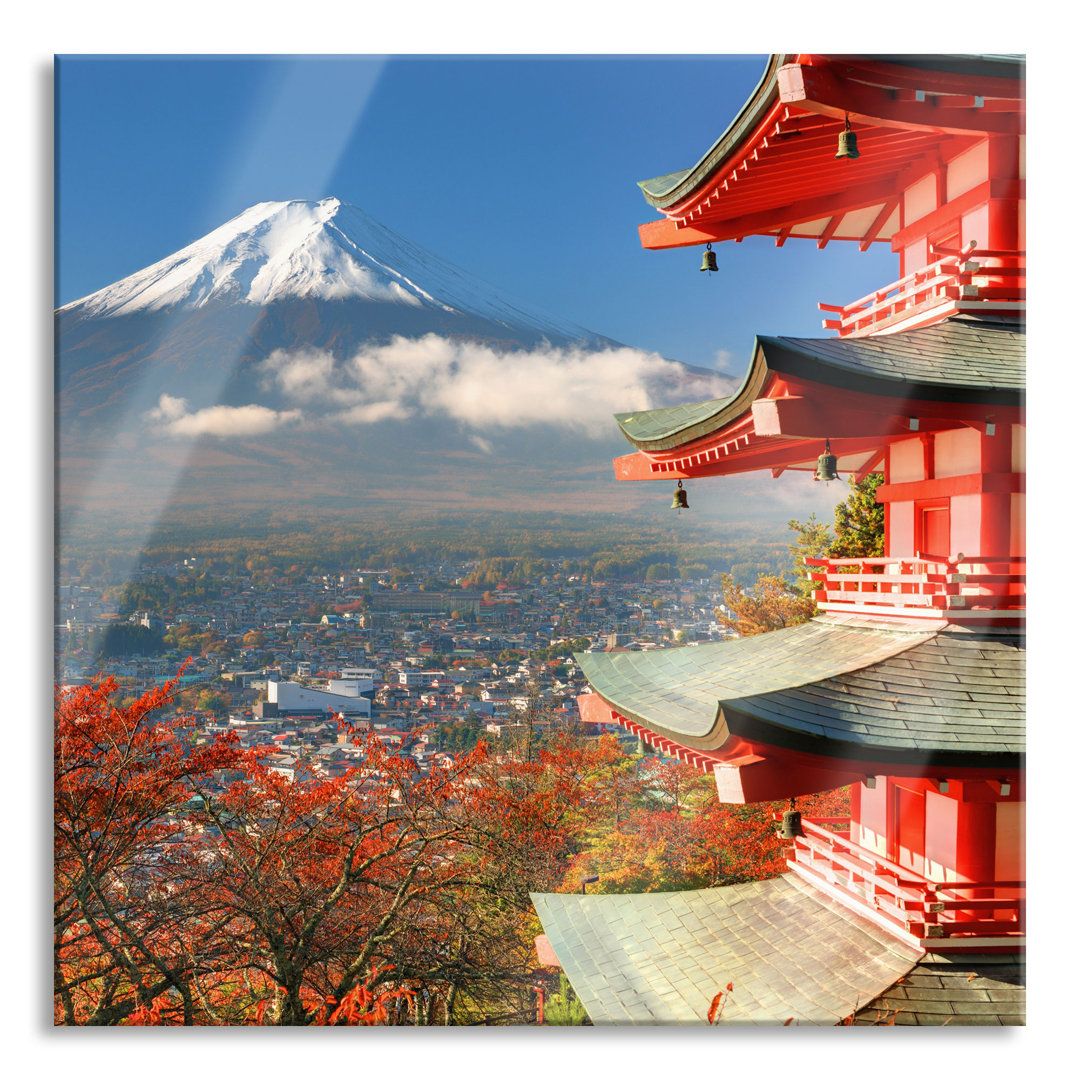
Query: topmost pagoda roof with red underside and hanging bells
x=774, y=170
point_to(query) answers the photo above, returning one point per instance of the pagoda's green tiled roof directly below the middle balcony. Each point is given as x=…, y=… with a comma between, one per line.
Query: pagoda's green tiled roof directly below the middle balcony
x=841, y=688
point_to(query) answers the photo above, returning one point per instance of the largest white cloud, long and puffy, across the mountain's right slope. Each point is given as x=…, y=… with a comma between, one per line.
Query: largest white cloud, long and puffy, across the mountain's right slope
x=484, y=388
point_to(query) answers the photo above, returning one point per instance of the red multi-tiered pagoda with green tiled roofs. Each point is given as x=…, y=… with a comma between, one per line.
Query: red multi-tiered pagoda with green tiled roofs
x=909, y=685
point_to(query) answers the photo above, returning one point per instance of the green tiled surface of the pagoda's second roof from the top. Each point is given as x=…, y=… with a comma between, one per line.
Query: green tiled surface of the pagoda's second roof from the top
x=965, y=359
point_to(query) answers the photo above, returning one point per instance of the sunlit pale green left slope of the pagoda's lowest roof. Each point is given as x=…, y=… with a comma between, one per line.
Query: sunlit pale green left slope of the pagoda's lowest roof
x=659, y=958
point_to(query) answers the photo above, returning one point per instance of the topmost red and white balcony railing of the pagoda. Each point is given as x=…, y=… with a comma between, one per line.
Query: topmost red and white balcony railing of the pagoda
x=969, y=280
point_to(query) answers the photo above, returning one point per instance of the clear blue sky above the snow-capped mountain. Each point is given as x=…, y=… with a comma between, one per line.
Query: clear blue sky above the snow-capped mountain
x=520, y=169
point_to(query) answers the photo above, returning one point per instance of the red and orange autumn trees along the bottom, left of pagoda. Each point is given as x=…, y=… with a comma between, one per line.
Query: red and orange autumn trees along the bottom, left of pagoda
x=196, y=885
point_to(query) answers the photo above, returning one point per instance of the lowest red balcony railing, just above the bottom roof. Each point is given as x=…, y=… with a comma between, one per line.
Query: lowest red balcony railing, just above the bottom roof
x=937, y=916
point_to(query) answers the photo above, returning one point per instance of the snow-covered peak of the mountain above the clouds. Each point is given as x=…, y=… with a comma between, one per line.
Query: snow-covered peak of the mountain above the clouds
x=286, y=251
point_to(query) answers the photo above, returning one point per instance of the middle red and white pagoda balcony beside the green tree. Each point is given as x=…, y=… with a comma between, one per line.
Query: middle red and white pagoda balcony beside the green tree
x=967, y=589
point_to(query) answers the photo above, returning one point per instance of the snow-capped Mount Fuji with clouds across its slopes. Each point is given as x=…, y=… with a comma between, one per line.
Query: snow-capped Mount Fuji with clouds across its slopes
x=304, y=355
